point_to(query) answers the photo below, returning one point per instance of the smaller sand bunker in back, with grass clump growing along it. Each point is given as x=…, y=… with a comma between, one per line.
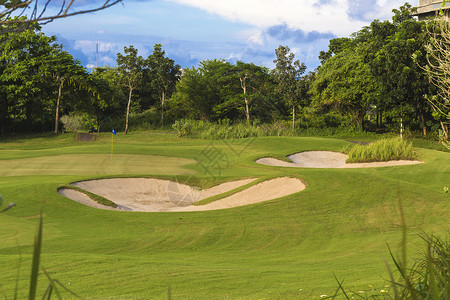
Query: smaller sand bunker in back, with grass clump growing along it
x=327, y=159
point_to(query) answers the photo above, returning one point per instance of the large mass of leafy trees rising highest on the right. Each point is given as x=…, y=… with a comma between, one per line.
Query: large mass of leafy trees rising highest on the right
x=375, y=68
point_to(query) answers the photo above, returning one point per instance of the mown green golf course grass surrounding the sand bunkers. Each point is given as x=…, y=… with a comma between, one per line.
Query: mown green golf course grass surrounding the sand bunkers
x=280, y=249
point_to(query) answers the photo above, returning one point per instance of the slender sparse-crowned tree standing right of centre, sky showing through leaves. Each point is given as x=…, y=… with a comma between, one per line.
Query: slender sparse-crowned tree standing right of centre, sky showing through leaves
x=287, y=74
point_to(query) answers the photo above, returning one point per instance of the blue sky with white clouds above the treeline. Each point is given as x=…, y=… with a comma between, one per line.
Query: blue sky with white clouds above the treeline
x=194, y=30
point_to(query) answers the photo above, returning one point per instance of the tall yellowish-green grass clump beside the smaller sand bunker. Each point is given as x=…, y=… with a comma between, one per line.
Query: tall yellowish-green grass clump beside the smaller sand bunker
x=382, y=150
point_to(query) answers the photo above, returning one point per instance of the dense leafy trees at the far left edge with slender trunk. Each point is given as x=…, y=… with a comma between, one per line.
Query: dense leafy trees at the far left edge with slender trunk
x=33, y=68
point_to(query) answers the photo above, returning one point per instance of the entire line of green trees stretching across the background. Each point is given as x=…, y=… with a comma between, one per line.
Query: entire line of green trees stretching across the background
x=367, y=81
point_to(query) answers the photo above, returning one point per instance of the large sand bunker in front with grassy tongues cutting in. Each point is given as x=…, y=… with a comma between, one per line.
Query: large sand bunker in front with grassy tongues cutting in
x=146, y=194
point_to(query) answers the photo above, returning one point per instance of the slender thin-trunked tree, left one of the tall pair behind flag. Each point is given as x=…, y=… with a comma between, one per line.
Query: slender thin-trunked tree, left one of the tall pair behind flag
x=130, y=67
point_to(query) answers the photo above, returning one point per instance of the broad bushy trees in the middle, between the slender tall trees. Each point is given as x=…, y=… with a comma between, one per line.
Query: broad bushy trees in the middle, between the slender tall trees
x=219, y=89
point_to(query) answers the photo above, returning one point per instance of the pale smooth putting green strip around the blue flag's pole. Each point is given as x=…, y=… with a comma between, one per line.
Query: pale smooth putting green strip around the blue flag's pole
x=95, y=164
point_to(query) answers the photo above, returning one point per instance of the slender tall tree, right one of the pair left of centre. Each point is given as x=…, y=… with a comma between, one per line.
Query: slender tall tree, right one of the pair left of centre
x=164, y=74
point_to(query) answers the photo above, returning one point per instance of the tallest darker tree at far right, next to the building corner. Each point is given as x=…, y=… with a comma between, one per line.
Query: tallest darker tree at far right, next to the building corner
x=403, y=84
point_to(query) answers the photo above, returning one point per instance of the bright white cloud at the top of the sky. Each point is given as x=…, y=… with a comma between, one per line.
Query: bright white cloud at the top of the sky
x=308, y=15
